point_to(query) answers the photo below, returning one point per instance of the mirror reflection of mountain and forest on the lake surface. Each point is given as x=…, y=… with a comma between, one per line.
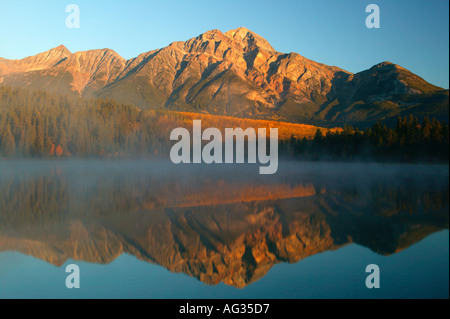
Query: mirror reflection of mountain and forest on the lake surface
x=215, y=223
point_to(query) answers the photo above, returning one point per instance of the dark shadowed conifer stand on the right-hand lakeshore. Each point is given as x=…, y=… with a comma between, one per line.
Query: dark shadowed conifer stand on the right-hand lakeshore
x=408, y=141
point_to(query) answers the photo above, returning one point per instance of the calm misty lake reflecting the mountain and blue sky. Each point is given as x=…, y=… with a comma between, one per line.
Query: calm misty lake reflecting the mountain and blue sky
x=151, y=229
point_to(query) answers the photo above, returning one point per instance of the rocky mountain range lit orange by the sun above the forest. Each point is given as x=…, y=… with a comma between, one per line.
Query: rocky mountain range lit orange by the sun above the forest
x=236, y=73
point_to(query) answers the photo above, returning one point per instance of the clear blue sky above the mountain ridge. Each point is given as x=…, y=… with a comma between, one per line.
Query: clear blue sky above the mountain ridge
x=413, y=33
